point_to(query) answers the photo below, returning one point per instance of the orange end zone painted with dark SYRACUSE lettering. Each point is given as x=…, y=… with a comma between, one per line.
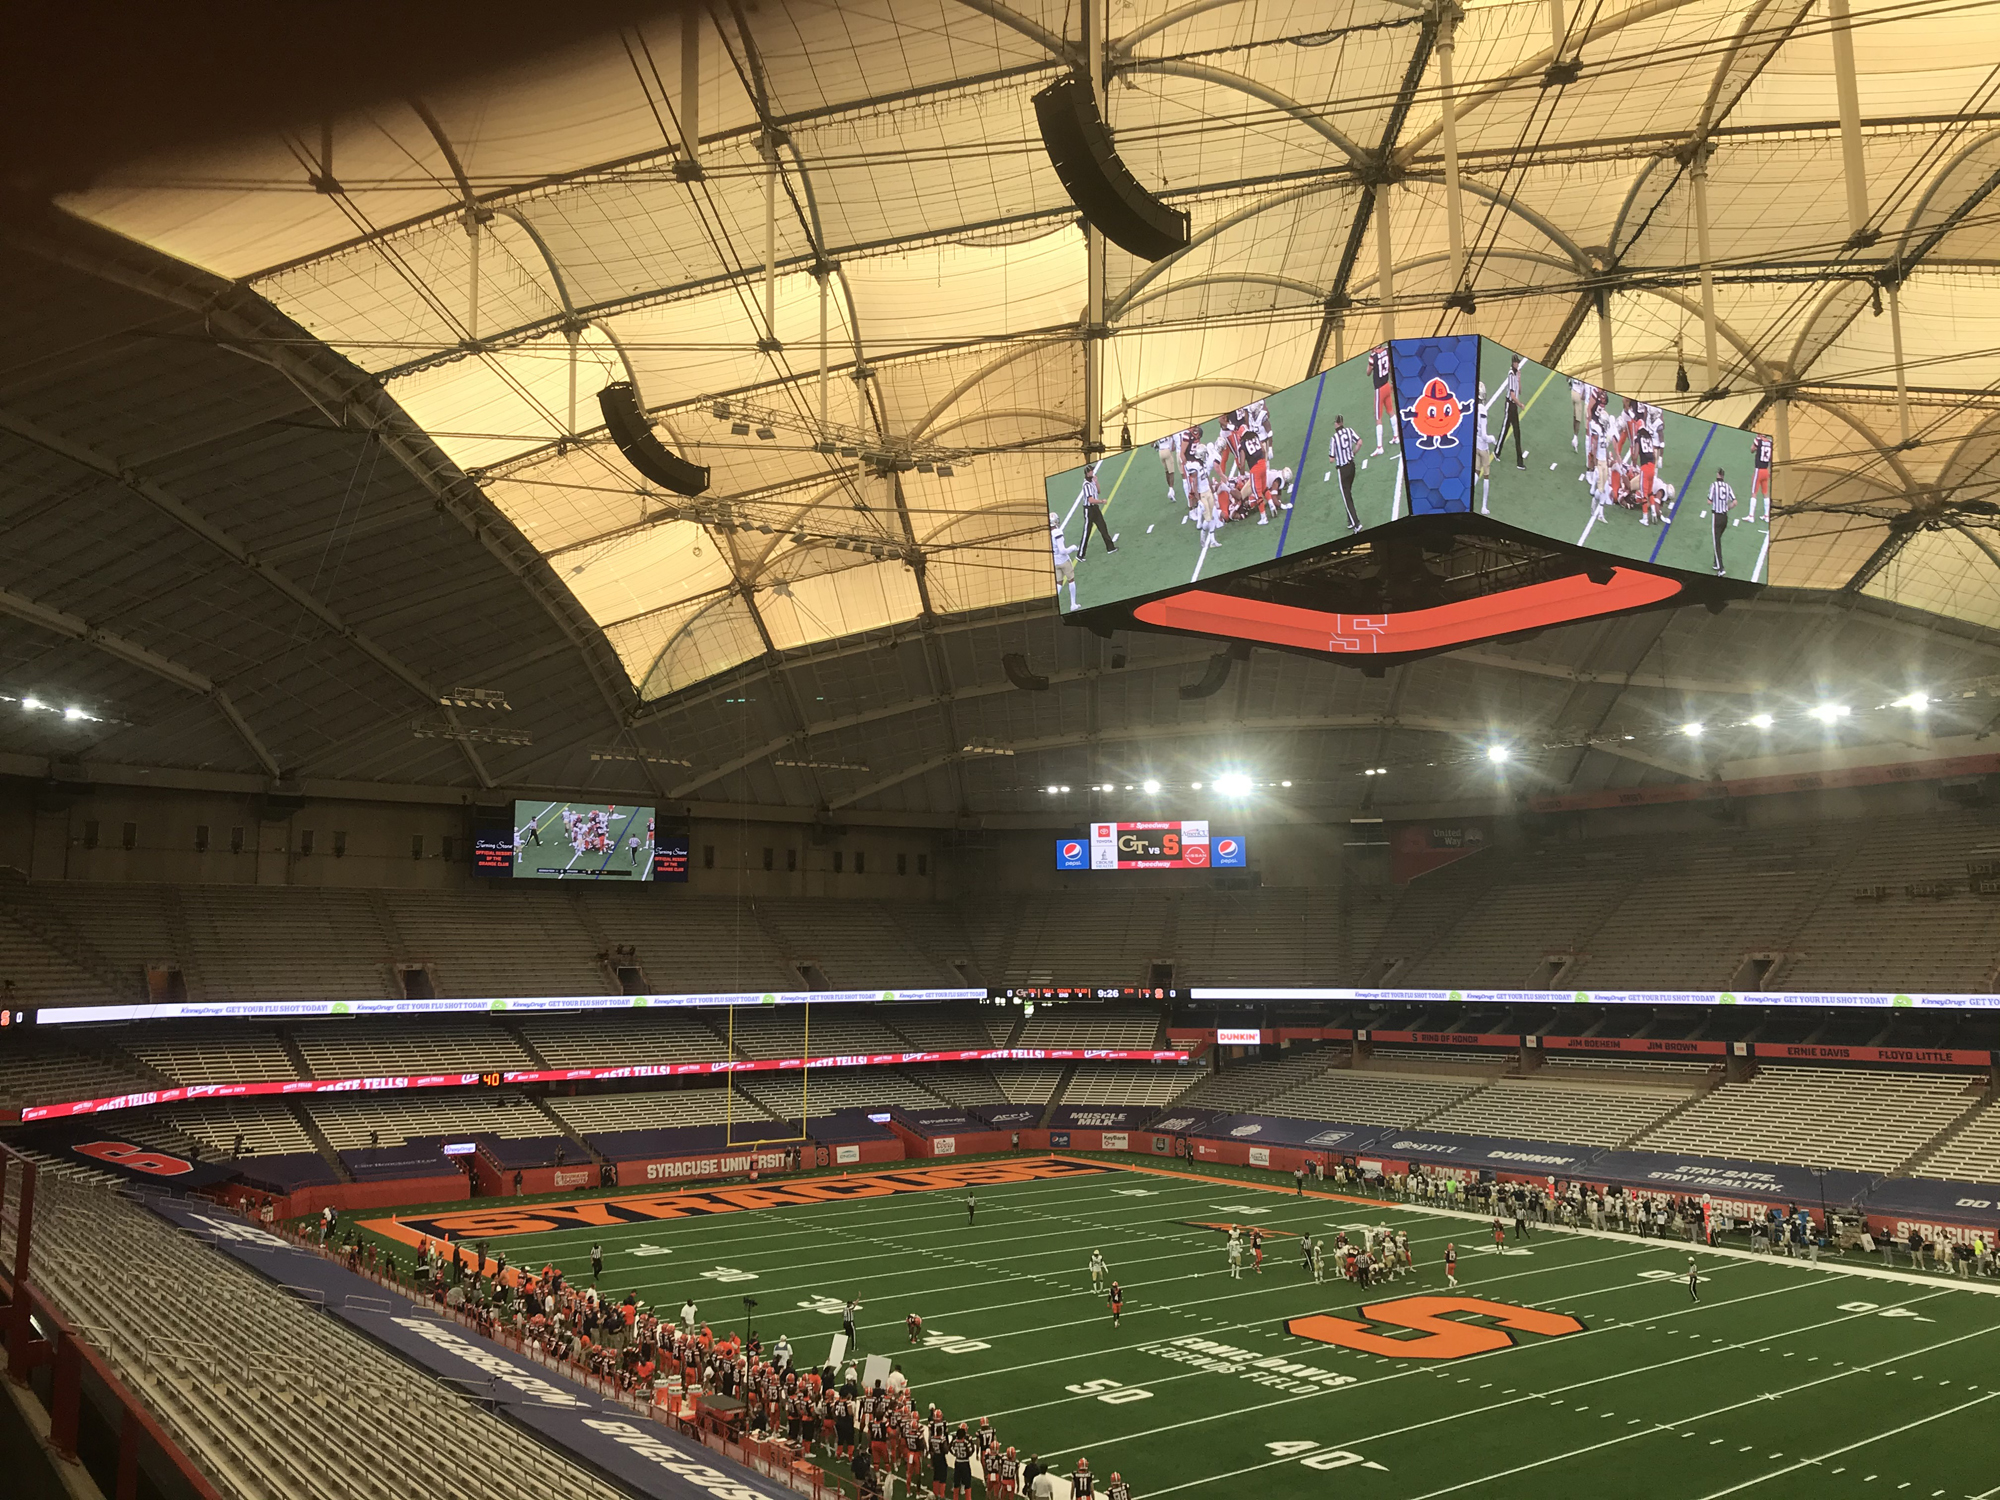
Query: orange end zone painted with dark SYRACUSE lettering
x=653, y=1207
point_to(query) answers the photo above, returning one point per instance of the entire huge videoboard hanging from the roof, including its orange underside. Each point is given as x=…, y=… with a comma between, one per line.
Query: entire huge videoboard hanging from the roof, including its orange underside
x=1419, y=497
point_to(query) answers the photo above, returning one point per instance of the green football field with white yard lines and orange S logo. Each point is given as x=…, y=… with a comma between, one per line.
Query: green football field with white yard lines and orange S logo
x=1783, y=1381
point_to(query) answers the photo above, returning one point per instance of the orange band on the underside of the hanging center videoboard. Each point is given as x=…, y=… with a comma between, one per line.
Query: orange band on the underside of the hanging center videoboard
x=1533, y=607
